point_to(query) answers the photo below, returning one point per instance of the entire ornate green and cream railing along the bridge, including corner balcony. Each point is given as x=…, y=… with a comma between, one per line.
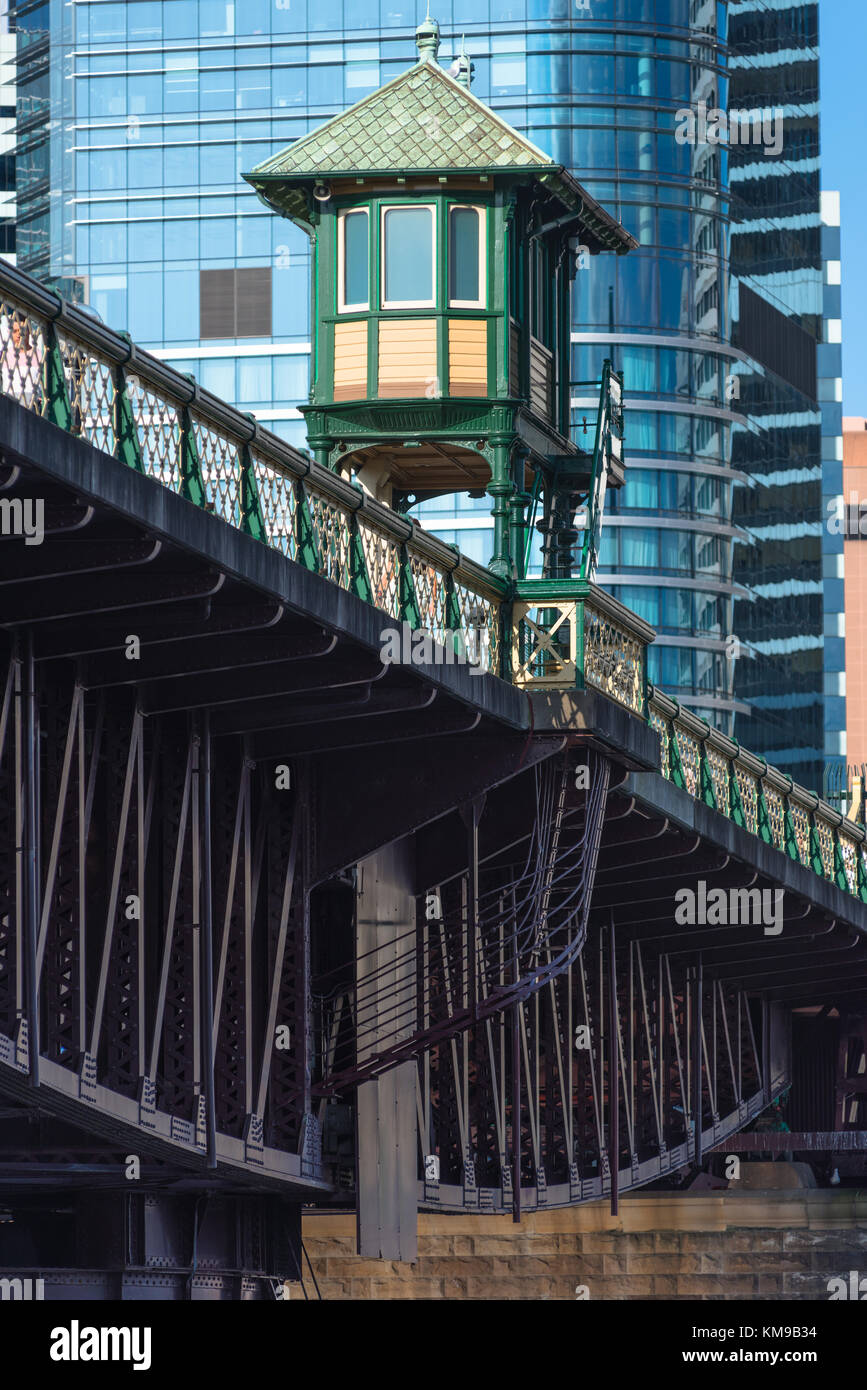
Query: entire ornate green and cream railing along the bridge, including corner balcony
x=65, y=365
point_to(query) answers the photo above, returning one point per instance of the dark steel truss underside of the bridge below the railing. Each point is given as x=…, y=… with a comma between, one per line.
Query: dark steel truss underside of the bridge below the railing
x=198, y=747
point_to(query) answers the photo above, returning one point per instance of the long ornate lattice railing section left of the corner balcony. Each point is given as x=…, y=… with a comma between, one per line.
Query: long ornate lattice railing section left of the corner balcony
x=65, y=365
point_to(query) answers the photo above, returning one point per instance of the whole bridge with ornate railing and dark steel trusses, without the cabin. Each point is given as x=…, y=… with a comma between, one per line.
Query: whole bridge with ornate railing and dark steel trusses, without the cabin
x=499, y=904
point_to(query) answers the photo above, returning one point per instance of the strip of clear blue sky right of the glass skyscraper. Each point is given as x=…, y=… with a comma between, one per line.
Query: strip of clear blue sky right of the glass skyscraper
x=843, y=37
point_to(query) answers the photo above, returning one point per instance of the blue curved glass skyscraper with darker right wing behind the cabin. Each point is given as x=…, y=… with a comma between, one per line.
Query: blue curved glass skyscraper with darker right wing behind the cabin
x=137, y=120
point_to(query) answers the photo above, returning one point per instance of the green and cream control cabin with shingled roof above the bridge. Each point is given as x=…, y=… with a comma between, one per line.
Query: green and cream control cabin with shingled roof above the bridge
x=444, y=251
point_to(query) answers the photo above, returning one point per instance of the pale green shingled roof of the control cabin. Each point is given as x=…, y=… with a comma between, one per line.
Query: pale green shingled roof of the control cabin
x=423, y=120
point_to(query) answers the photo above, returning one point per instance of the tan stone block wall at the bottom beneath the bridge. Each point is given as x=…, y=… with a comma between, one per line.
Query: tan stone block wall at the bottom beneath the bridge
x=707, y=1246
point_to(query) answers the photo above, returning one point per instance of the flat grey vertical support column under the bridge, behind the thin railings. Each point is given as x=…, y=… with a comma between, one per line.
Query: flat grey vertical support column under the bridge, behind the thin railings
x=387, y=1115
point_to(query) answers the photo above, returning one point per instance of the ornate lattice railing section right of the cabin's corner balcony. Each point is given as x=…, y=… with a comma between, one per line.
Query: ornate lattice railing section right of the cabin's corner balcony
x=715, y=769
